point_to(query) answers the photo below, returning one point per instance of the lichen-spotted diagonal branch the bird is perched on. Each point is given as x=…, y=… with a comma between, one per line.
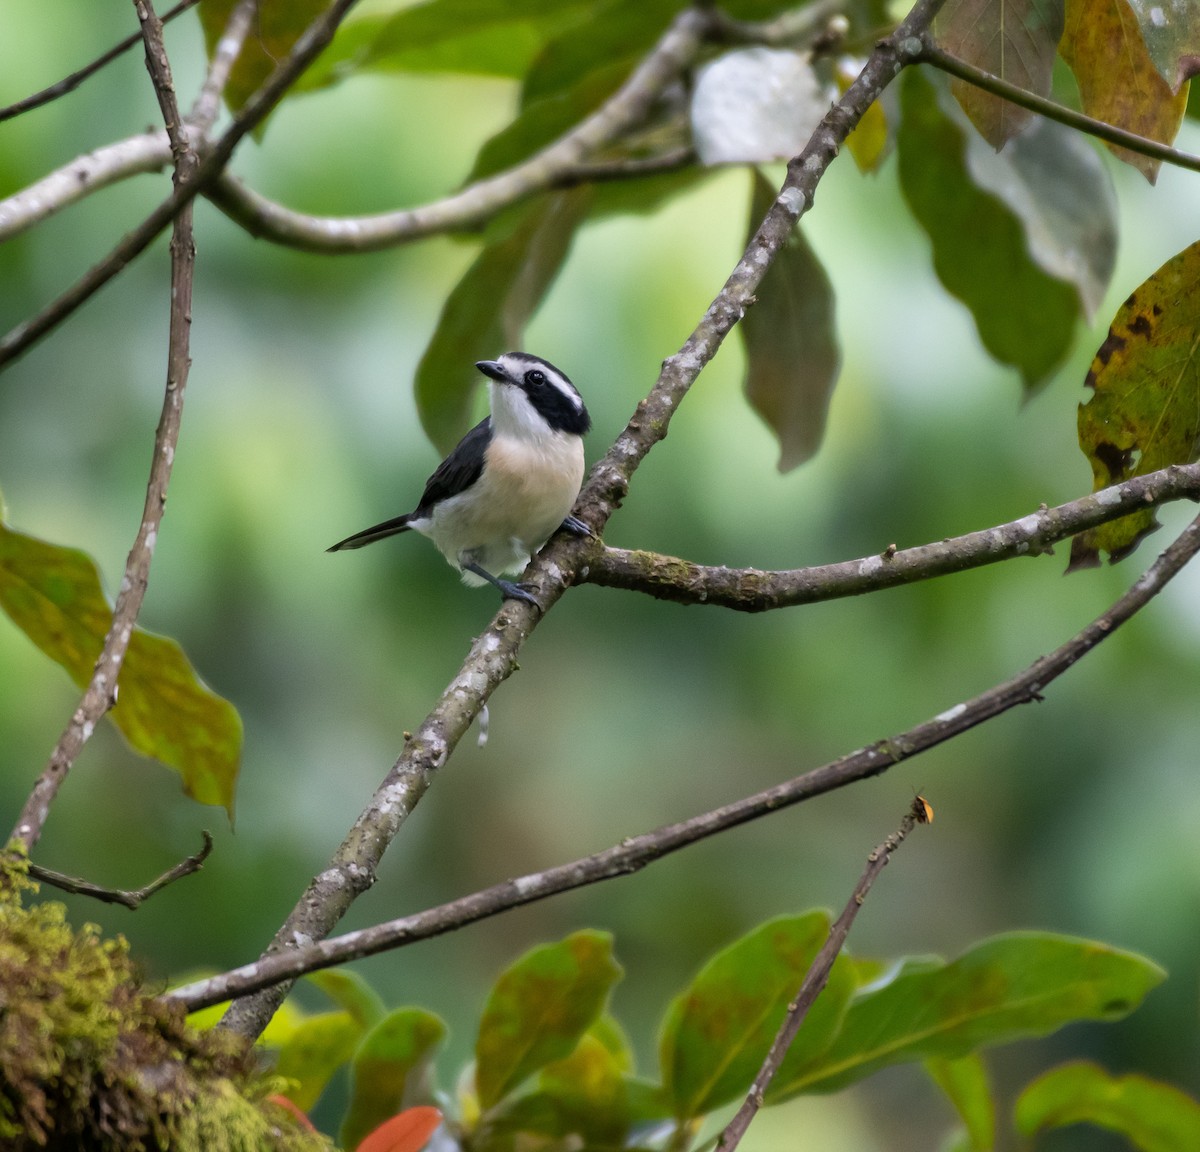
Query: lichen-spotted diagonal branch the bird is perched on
x=493, y=658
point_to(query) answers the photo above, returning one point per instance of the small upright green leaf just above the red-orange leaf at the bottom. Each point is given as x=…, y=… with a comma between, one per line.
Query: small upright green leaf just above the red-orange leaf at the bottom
x=391, y=1071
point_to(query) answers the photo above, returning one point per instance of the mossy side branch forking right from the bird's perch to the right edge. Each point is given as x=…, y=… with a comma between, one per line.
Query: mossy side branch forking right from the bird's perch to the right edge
x=748, y=590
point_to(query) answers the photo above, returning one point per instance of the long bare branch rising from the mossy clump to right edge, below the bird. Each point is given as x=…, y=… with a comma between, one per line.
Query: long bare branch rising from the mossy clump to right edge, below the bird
x=637, y=853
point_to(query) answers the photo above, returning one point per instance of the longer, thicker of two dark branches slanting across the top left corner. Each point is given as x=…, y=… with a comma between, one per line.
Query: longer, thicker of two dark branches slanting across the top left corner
x=254, y=112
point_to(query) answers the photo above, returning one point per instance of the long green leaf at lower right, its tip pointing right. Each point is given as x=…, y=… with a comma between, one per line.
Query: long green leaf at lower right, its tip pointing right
x=1011, y=987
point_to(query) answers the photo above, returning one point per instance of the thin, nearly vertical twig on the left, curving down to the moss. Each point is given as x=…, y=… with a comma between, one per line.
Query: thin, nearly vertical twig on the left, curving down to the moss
x=101, y=692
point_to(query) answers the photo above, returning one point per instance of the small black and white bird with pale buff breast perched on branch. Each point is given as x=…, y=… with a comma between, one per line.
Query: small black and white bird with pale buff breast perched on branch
x=511, y=484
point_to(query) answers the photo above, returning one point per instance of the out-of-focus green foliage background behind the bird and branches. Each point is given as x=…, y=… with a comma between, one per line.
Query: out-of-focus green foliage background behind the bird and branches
x=301, y=423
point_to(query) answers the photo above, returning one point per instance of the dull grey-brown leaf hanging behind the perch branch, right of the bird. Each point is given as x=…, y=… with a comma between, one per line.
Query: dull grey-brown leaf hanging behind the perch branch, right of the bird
x=793, y=357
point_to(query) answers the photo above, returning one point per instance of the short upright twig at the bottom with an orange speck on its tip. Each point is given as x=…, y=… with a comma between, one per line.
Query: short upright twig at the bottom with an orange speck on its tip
x=817, y=977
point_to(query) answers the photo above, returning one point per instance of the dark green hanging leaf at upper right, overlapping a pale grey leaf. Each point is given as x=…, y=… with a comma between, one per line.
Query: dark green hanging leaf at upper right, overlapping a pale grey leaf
x=1025, y=317
